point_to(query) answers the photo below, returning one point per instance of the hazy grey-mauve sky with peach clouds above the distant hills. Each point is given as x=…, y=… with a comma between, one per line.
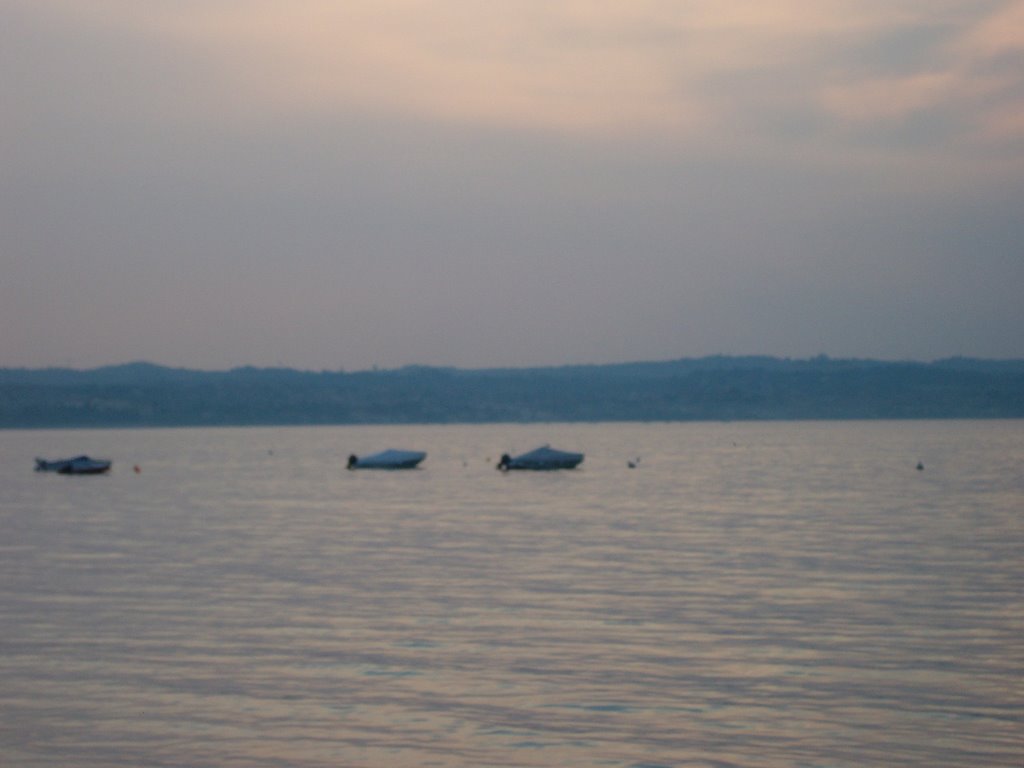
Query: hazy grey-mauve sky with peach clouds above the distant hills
x=342, y=186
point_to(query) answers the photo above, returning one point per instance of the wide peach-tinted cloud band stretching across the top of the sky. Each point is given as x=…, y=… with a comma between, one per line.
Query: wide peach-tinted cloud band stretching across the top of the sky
x=704, y=74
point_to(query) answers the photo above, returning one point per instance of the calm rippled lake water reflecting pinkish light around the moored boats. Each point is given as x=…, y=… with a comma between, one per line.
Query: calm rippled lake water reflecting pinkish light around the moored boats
x=750, y=595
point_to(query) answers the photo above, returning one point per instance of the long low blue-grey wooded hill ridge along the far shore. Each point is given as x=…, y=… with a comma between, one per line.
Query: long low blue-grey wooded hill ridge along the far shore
x=693, y=390
